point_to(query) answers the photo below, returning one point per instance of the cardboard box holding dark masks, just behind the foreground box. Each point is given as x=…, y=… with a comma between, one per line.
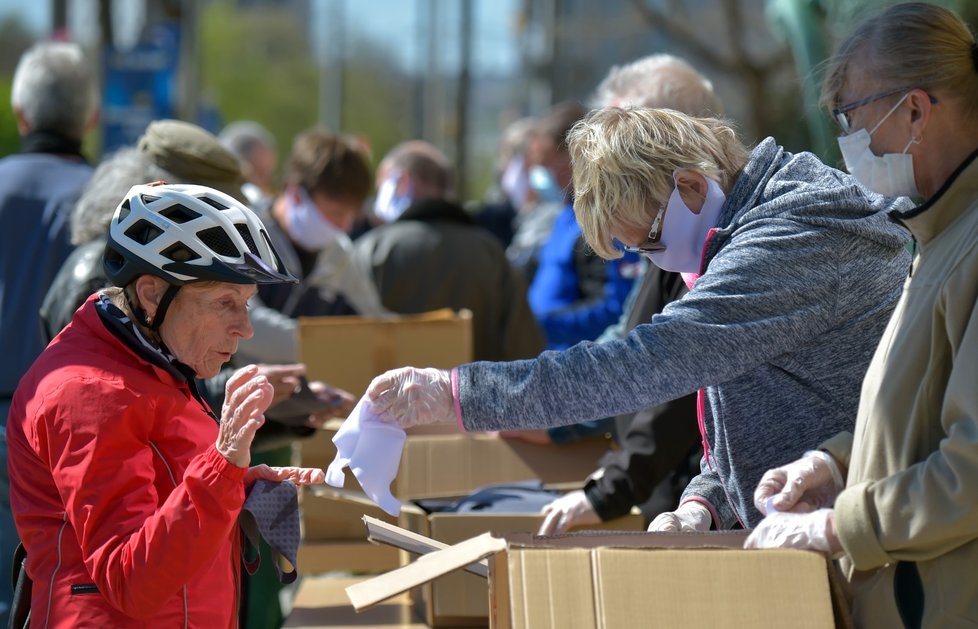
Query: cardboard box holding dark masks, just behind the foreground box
x=461, y=599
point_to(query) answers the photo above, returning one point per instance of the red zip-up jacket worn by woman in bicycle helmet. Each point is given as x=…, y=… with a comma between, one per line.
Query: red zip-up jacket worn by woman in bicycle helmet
x=126, y=509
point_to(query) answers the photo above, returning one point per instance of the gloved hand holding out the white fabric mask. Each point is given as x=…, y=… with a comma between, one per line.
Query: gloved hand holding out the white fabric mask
x=411, y=397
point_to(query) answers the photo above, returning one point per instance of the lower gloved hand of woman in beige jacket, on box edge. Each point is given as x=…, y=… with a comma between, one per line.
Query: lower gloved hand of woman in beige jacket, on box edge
x=815, y=531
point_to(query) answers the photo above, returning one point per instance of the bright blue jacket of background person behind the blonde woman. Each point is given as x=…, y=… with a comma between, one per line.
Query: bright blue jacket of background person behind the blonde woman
x=575, y=295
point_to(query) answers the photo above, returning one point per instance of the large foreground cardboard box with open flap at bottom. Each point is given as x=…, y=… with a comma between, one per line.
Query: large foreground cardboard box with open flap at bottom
x=623, y=580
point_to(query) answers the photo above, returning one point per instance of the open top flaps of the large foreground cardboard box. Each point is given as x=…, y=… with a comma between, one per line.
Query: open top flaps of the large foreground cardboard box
x=438, y=559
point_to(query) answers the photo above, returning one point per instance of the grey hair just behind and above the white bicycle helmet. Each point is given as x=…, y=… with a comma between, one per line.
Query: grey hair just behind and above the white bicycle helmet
x=110, y=182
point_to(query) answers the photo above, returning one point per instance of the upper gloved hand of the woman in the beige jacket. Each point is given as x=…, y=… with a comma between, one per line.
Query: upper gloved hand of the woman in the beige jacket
x=810, y=483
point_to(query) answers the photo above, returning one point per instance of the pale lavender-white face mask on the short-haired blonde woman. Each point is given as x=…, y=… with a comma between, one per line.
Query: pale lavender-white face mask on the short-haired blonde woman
x=684, y=233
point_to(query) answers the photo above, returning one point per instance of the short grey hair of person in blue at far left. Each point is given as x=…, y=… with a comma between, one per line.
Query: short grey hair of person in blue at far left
x=54, y=89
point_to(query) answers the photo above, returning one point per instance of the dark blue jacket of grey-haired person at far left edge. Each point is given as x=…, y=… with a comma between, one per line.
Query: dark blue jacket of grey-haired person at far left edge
x=37, y=192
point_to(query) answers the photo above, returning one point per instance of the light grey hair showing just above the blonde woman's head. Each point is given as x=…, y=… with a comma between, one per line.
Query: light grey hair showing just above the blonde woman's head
x=659, y=80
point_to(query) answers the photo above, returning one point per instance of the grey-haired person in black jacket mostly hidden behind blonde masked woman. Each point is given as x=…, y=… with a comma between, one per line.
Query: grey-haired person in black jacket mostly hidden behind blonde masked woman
x=659, y=447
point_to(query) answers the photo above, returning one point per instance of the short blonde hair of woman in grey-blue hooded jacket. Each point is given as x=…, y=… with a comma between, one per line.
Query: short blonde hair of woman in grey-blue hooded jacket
x=624, y=159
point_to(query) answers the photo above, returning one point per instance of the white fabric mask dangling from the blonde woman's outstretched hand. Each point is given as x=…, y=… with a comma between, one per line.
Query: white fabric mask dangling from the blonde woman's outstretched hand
x=372, y=449
